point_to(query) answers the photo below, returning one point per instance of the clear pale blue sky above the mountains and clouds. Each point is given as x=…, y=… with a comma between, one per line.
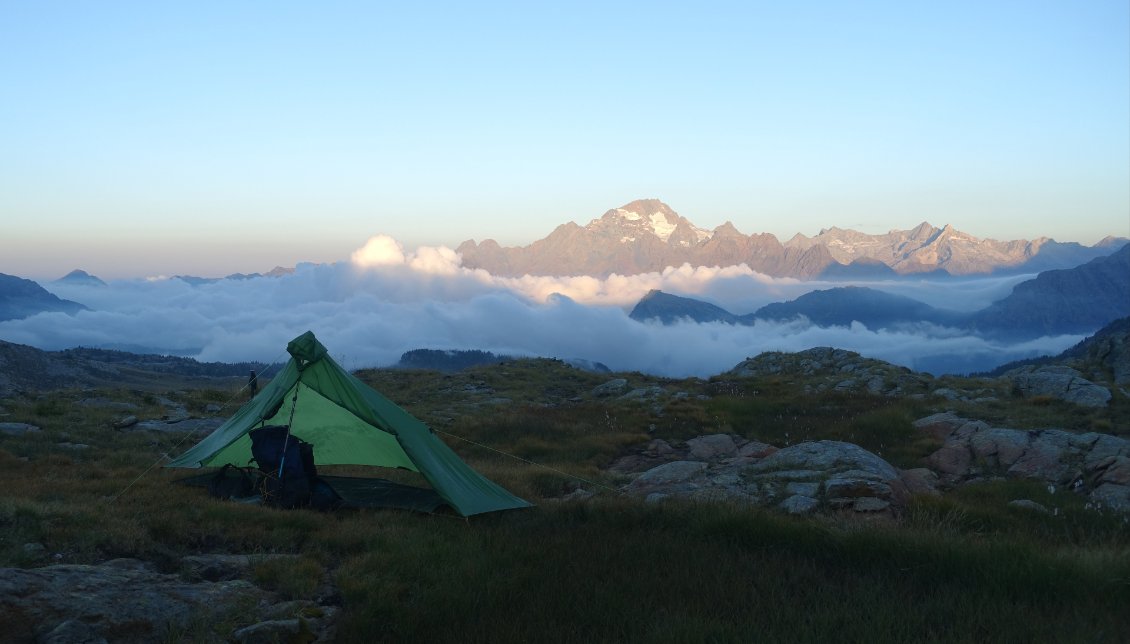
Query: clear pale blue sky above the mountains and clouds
x=212, y=138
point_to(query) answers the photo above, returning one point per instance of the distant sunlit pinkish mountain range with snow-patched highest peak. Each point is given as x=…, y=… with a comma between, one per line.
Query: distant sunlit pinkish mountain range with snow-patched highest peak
x=648, y=237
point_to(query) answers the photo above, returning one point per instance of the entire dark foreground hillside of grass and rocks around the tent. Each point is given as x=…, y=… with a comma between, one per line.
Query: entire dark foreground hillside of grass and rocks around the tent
x=813, y=457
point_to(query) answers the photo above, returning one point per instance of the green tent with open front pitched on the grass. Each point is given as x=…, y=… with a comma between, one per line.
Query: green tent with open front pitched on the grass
x=349, y=423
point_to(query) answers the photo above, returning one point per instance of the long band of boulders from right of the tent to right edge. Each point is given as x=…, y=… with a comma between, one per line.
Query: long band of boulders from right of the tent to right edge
x=831, y=476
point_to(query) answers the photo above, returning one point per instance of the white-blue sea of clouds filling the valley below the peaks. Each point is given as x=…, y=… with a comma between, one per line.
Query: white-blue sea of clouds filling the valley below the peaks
x=386, y=301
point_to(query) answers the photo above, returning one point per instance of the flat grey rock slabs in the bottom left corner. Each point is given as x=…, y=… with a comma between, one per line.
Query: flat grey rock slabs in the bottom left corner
x=127, y=601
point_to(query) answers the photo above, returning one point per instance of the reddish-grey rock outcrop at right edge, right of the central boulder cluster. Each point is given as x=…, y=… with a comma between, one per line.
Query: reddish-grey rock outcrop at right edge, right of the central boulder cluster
x=1091, y=464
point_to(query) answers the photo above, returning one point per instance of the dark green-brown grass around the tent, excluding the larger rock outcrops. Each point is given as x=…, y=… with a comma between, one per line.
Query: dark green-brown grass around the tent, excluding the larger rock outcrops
x=966, y=568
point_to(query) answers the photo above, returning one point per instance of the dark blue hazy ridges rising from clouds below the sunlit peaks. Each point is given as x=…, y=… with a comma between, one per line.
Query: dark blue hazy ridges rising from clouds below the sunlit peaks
x=1056, y=302
